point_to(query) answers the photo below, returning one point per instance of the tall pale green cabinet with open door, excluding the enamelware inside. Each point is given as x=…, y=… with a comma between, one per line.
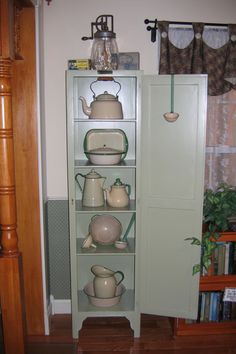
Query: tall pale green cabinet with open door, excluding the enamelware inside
x=164, y=167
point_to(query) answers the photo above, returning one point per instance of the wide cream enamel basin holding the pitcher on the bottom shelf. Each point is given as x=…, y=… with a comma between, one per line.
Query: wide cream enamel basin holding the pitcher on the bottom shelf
x=96, y=301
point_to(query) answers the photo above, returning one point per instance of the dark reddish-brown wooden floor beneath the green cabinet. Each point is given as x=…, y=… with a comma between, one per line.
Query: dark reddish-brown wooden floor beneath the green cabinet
x=105, y=335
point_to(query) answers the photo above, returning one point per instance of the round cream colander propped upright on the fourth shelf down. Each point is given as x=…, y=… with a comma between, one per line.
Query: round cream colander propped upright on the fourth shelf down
x=105, y=229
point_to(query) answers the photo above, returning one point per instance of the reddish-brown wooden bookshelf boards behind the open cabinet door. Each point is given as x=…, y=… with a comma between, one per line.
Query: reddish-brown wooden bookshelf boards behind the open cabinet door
x=210, y=283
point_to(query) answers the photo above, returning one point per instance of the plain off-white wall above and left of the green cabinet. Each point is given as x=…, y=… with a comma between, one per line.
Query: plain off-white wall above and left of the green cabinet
x=66, y=21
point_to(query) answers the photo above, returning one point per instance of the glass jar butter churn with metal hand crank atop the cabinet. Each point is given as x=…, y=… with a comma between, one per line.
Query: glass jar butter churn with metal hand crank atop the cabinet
x=104, y=54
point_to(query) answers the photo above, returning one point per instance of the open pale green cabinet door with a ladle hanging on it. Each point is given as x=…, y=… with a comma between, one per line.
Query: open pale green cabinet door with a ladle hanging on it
x=172, y=178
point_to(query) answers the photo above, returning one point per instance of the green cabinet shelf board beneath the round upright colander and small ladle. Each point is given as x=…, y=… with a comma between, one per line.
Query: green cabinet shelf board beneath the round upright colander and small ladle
x=104, y=250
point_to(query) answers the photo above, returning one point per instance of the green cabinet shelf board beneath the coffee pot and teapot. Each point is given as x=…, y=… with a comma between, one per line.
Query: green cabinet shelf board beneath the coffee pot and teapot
x=104, y=209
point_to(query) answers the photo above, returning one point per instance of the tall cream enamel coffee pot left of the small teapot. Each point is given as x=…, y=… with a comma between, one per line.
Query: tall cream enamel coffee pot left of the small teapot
x=92, y=192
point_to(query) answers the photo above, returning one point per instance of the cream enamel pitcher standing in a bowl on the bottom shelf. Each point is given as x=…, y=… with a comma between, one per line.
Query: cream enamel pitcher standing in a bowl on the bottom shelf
x=105, y=282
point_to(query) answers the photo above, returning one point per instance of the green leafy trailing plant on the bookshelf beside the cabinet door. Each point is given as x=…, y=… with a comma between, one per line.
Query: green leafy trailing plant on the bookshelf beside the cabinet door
x=218, y=206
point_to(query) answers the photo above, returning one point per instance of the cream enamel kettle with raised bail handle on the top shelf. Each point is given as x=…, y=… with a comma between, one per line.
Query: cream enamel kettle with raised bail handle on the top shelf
x=103, y=106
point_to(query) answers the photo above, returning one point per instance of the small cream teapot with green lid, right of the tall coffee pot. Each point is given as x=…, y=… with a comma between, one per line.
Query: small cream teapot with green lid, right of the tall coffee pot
x=118, y=196
